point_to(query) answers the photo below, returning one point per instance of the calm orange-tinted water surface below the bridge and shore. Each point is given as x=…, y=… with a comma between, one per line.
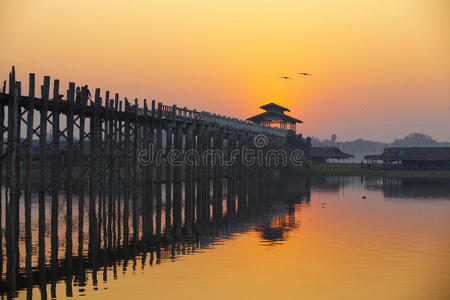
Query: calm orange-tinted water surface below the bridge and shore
x=296, y=238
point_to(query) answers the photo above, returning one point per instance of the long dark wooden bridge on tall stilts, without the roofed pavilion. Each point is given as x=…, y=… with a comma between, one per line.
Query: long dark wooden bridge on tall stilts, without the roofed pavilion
x=93, y=152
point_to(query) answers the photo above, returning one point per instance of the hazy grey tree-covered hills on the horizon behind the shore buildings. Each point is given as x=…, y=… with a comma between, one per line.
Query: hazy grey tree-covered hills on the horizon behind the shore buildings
x=361, y=147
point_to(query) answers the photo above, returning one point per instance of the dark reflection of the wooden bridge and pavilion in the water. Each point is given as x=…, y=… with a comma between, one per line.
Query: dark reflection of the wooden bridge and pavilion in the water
x=182, y=219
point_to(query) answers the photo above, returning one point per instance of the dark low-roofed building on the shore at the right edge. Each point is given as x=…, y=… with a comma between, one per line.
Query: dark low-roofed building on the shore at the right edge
x=411, y=158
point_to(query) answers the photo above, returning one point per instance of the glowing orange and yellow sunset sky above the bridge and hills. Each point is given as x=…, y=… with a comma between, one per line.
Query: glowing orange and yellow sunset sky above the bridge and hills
x=381, y=68
